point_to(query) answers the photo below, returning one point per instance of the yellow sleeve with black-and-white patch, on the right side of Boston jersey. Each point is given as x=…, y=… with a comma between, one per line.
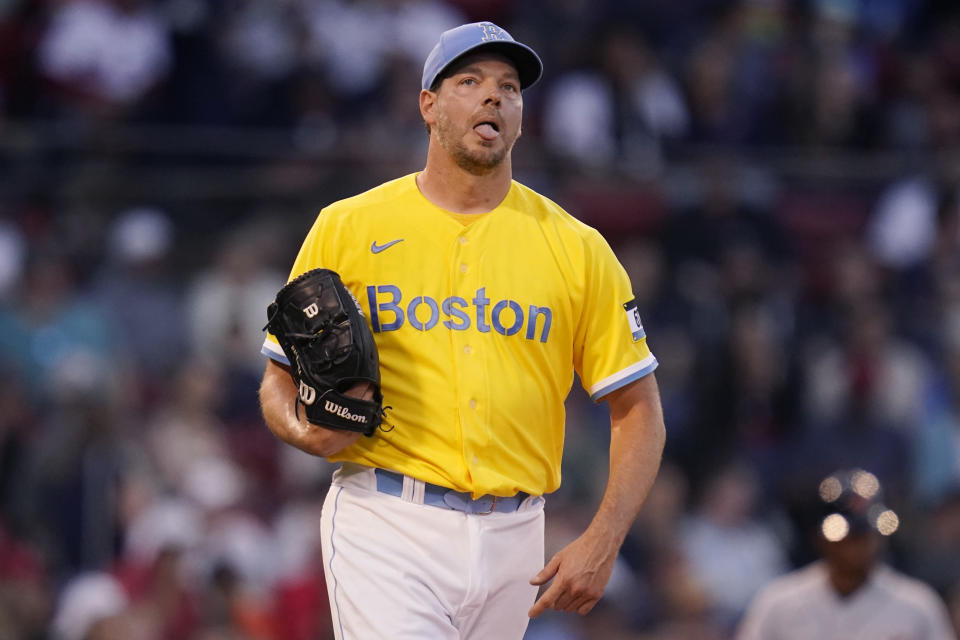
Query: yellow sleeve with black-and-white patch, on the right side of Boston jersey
x=610, y=348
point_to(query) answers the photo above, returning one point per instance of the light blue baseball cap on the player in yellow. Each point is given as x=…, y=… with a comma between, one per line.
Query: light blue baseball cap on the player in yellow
x=480, y=36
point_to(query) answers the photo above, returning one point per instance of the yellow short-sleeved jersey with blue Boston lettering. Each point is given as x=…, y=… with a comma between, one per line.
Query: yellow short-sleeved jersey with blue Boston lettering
x=481, y=321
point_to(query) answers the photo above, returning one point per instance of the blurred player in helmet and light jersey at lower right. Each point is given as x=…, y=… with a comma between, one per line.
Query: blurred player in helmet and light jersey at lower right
x=848, y=594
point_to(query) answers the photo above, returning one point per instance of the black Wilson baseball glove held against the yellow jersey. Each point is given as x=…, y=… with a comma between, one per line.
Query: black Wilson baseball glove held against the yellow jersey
x=322, y=331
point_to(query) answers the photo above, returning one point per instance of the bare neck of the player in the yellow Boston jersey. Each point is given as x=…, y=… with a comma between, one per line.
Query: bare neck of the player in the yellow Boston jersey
x=450, y=187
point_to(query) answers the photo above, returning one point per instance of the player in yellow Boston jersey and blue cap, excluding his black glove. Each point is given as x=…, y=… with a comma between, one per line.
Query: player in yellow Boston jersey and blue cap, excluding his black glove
x=484, y=299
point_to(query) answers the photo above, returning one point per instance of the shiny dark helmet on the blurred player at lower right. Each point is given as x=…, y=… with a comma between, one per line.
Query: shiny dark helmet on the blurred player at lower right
x=852, y=502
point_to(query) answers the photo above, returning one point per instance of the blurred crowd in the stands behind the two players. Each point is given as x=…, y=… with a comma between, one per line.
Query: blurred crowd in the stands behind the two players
x=780, y=179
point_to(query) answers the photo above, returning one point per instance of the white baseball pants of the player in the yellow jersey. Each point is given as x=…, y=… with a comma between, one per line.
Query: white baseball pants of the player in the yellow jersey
x=399, y=569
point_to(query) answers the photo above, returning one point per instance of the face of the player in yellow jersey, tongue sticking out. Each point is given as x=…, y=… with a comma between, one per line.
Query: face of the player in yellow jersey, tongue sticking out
x=478, y=111
